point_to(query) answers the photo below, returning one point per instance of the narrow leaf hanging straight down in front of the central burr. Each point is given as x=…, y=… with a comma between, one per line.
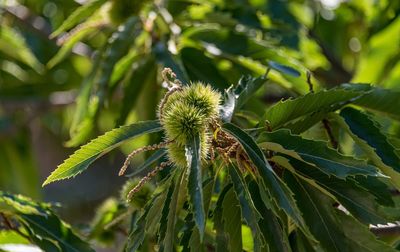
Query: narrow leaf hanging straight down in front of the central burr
x=193, y=158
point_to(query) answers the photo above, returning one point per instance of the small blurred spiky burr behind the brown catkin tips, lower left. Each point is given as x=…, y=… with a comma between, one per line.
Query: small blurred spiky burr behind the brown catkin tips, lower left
x=141, y=197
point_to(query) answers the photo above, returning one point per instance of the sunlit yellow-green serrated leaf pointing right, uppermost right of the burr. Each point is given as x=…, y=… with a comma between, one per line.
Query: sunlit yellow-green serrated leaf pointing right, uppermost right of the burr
x=324, y=101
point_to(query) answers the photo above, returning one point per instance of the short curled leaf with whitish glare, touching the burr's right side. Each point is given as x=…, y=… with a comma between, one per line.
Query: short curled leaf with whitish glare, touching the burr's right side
x=236, y=97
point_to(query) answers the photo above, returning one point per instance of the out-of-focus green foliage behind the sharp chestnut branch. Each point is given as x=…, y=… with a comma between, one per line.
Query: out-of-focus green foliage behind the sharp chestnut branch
x=65, y=79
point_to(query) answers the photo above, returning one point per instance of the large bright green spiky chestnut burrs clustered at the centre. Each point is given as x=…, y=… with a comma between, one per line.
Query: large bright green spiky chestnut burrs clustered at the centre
x=187, y=112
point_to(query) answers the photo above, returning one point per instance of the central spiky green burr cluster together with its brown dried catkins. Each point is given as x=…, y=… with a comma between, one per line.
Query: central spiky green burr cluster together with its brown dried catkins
x=184, y=112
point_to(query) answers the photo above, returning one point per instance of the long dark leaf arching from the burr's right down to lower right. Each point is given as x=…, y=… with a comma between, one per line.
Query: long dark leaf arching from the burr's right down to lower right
x=277, y=189
